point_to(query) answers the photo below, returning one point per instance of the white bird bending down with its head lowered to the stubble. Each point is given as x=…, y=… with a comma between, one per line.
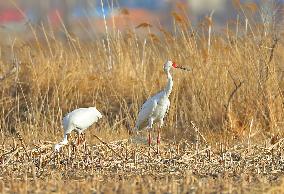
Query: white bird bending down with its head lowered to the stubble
x=78, y=120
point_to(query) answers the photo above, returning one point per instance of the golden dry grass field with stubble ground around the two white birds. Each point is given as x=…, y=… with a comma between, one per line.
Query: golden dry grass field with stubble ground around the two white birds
x=223, y=133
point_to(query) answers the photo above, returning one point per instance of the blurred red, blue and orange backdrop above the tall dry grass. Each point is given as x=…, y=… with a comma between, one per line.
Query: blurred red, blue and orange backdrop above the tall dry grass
x=88, y=18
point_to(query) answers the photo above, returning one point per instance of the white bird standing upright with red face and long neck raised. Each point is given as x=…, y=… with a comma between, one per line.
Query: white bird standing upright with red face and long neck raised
x=156, y=107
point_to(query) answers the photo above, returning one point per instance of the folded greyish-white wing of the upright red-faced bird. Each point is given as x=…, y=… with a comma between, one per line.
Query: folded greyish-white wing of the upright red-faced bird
x=145, y=113
